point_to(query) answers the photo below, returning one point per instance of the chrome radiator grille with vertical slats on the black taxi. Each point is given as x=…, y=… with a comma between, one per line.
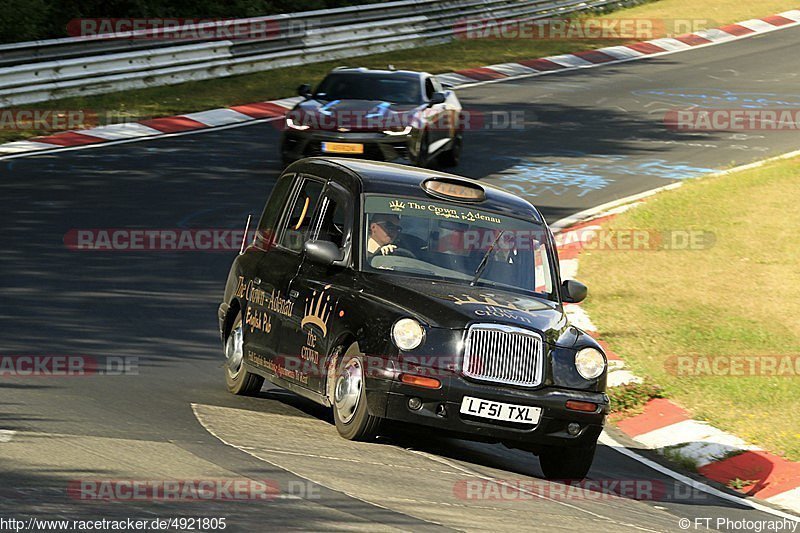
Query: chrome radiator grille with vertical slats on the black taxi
x=503, y=354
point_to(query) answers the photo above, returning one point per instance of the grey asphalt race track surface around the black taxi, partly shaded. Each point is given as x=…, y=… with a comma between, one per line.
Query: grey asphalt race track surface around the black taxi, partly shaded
x=589, y=137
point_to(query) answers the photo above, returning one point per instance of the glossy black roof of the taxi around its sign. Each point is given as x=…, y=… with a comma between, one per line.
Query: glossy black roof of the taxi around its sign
x=391, y=178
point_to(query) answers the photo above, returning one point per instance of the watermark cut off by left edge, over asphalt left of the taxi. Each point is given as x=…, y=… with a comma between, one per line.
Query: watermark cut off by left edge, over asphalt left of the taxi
x=67, y=365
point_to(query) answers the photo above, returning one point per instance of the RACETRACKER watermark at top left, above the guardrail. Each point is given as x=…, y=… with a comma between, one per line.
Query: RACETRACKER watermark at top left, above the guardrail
x=189, y=29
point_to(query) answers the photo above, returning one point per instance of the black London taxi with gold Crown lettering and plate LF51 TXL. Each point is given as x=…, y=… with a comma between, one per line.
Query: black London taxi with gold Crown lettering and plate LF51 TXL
x=389, y=292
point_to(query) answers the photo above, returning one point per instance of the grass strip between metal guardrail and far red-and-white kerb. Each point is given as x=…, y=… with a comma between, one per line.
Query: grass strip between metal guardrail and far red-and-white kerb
x=280, y=83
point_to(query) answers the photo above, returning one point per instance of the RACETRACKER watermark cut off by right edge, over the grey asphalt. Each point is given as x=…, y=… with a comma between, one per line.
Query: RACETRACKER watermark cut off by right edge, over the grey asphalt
x=733, y=120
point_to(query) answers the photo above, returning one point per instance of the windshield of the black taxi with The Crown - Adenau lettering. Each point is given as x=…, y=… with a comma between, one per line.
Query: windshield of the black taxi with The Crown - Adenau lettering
x=455, y=242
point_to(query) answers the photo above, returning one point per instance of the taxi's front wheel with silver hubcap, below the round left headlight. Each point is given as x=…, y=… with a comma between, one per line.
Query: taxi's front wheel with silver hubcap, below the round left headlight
x=350, y=413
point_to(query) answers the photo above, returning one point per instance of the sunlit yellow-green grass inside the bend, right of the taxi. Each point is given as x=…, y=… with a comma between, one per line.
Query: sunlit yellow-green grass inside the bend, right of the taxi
x=739, y=297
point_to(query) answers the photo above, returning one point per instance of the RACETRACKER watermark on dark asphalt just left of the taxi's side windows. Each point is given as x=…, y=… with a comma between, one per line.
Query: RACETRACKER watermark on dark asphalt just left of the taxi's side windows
x=160, y=240
